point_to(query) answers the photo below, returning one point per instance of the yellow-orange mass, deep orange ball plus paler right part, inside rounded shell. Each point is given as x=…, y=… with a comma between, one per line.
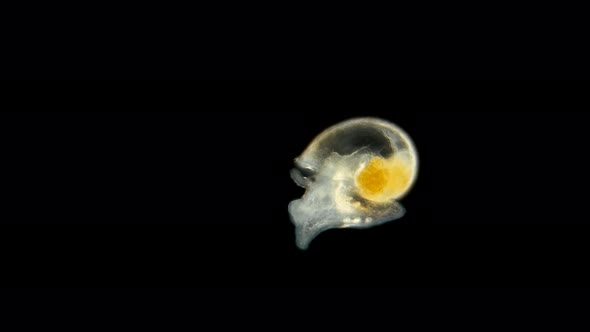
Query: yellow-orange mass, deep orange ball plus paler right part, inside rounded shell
x=384, y=179
